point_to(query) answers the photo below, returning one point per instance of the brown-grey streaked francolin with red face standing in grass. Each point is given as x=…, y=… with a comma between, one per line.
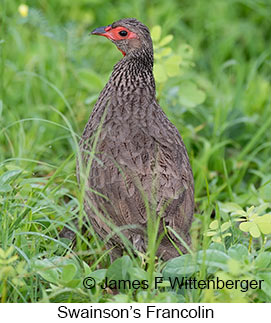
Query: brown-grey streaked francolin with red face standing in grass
x=135, y=161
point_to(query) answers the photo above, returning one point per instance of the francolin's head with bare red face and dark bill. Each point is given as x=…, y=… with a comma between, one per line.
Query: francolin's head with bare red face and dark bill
x=128, y=35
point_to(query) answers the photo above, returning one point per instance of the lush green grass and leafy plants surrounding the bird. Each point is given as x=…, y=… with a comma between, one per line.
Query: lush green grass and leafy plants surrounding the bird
x=51, y=73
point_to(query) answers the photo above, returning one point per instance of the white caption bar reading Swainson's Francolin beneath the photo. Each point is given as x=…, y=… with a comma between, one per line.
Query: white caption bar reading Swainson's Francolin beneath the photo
x=160, y=312
